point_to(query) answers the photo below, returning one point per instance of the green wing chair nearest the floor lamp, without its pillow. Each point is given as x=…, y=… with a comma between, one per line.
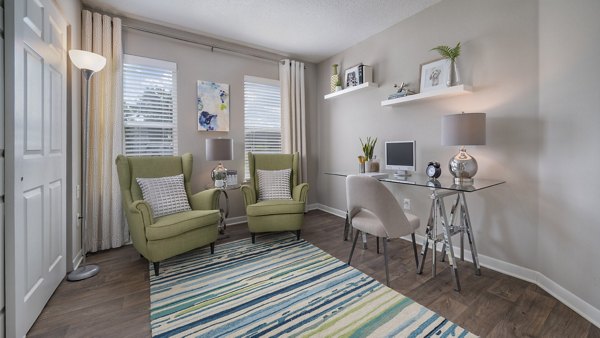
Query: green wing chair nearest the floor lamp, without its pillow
x=163, y=237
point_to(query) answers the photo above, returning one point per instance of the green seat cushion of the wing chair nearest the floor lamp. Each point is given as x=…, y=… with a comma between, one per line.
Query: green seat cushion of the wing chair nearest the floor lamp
x=177, y=224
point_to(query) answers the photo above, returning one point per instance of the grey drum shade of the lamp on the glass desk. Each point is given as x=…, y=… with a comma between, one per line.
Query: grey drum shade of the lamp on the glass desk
x=463, y=129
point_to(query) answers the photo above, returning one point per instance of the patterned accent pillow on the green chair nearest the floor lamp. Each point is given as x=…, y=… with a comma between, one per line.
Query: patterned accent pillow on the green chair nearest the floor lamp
x=166, y=195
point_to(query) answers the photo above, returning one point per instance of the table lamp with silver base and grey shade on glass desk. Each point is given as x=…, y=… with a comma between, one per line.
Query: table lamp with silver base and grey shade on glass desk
x=463, y=130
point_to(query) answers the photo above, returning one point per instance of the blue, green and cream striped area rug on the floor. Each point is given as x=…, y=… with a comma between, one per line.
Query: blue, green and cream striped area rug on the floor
x=281, y=287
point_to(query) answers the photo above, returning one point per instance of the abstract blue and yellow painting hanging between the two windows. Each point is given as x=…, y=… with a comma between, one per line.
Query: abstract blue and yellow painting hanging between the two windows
x=213, y=106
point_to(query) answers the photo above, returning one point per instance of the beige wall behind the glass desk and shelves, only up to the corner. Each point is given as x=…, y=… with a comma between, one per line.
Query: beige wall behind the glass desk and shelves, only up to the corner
x=499, y=59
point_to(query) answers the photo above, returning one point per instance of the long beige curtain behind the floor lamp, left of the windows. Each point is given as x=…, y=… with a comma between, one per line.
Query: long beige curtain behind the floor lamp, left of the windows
x=106, y=225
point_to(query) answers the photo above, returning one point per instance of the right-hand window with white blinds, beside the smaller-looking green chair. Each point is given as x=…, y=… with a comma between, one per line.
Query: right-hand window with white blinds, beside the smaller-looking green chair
x=262, y=117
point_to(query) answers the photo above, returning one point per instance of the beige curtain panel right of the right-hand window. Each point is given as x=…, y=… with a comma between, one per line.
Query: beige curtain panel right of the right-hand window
x=293, y=111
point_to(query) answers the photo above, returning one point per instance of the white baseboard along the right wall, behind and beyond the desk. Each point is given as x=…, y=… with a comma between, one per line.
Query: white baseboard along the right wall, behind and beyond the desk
x=583, y=308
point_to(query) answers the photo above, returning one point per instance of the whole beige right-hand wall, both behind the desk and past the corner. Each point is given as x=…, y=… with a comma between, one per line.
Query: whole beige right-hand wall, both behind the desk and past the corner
x=542, y=122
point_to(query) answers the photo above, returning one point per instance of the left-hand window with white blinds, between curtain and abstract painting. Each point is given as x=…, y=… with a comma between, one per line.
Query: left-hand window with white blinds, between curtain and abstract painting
x=149, y=106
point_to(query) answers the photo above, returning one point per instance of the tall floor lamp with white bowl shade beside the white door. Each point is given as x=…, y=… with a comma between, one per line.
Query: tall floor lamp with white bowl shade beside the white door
x=89, y=63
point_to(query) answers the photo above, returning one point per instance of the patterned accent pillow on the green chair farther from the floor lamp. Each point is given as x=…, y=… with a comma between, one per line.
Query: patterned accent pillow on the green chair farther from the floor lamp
x=274, y=184
